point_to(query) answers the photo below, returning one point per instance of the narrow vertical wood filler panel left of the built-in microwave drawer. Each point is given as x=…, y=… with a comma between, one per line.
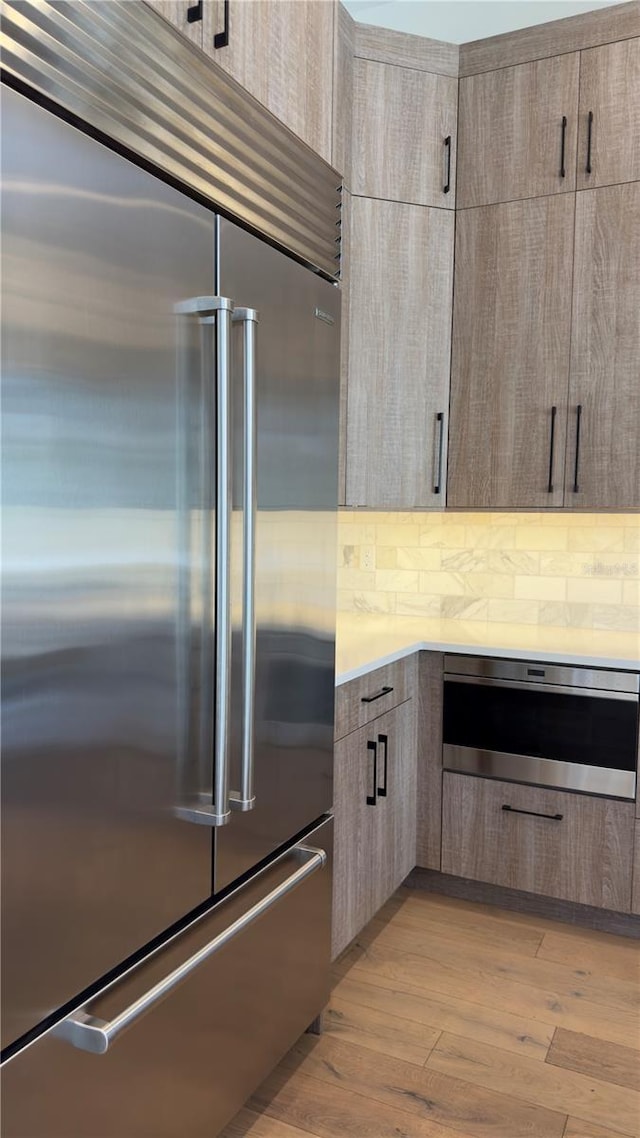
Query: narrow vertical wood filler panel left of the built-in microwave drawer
x=429, y=824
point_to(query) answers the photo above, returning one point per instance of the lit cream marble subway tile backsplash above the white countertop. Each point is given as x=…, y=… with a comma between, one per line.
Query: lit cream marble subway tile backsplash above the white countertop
x=561, y=571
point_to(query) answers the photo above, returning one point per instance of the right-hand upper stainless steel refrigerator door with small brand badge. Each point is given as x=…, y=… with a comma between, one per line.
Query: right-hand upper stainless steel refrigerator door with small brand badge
x=292, y=718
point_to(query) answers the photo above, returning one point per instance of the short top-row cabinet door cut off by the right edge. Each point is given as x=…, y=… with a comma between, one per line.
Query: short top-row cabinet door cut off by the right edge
x=610, y=92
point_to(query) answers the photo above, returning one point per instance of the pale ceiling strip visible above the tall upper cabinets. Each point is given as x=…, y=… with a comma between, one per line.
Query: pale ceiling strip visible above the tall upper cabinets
x=462, y=21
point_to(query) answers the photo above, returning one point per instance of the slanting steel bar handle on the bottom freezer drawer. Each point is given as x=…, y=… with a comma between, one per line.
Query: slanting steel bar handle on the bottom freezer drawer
x=89, y=1034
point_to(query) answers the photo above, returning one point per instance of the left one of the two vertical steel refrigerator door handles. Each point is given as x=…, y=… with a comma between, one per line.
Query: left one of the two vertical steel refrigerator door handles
x=217, y=311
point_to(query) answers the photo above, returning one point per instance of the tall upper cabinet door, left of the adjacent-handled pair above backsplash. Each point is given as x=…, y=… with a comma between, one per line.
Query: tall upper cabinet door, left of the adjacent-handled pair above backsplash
x=512, y=332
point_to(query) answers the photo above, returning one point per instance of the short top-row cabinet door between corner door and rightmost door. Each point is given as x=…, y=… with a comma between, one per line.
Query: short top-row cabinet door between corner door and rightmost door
x=512, y=133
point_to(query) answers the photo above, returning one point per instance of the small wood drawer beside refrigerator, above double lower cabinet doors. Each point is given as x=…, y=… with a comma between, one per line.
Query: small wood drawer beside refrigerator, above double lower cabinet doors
x=364, y=699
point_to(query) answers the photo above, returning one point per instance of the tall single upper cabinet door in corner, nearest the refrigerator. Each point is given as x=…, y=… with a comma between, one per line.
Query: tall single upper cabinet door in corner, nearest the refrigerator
x=399, y=354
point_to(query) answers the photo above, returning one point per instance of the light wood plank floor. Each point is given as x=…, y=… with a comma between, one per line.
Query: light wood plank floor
x=456, y=1020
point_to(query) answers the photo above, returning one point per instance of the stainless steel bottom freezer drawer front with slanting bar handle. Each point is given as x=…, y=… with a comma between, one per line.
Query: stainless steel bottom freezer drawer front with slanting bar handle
x=190, y=1062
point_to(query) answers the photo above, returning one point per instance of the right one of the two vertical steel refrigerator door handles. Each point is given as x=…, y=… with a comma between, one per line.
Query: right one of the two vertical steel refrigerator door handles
x=249, y=318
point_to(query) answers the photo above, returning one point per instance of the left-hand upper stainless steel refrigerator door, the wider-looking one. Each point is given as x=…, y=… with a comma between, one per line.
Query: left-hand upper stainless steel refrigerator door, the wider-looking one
x=104, y=565
